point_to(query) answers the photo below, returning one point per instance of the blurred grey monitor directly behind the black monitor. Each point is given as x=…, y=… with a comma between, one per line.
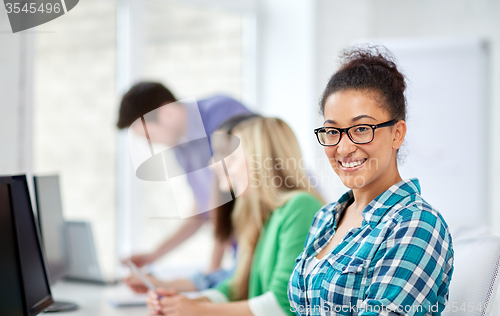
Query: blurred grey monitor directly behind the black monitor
x=52, y=226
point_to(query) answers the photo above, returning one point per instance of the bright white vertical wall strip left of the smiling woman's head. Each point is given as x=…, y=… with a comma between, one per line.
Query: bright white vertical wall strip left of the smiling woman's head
x=286, y=65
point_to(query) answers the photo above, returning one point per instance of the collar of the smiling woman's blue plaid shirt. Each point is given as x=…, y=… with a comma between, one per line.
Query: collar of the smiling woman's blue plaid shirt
x=376, y=209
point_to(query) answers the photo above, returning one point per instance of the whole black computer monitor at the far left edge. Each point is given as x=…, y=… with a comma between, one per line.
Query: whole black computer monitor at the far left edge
x=25, y=289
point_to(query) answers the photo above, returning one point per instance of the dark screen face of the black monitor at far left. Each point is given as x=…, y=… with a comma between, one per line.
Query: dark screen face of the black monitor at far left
x=35, y=281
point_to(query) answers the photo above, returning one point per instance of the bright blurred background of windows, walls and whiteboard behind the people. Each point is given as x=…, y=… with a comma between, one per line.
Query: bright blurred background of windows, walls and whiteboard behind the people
x=61, y=84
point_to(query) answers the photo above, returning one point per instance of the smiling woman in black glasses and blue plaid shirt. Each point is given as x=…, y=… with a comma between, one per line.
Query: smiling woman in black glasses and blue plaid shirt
x=381, y=249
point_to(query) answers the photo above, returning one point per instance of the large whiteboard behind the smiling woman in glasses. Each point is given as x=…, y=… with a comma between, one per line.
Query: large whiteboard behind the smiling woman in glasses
x=447, y=139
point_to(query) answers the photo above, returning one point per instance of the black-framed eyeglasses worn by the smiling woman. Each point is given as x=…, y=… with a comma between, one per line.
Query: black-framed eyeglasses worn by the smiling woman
x=358, y=134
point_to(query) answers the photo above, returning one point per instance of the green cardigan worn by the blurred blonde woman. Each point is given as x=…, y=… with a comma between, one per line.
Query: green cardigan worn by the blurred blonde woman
x=280, y=242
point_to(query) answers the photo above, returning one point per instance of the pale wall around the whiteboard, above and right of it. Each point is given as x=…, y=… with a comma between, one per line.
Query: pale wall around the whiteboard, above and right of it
x=342, y=22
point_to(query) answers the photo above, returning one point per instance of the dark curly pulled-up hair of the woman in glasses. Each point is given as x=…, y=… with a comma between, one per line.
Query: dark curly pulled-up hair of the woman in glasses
x=370, y=68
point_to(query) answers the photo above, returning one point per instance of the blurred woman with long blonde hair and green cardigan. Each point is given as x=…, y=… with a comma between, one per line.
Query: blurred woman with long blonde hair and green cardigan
x=271, y=219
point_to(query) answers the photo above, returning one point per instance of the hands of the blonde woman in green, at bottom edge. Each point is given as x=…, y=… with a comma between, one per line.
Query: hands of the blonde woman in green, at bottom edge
x=171, y=303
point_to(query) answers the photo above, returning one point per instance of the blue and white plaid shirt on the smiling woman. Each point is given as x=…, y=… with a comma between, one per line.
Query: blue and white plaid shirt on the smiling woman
x=399, y=262
